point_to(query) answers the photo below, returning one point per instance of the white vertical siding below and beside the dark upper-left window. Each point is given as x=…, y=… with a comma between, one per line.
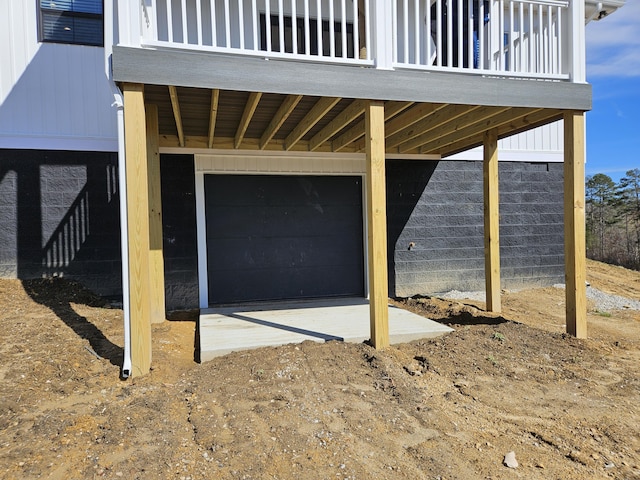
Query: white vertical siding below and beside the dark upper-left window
x=52, y=96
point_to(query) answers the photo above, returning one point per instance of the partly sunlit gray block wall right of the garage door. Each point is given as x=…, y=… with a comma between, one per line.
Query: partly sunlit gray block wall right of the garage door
x=435, y=215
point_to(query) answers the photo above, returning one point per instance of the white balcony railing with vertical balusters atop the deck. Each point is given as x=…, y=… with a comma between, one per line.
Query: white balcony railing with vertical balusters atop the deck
x=523, y=38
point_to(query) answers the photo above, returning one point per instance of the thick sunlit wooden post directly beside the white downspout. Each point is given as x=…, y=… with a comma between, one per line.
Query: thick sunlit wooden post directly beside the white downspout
x=138, y=227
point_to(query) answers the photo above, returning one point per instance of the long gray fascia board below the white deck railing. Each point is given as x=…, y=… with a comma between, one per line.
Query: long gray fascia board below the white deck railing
x=235, y=72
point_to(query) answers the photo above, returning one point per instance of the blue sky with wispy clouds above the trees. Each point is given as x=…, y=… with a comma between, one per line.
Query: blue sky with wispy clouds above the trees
x=613, y=70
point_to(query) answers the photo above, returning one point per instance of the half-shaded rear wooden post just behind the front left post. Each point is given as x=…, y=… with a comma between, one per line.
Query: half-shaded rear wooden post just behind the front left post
x=156, y=259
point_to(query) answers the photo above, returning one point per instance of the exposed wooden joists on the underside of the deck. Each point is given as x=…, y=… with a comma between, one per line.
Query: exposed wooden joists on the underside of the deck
x=201, y=118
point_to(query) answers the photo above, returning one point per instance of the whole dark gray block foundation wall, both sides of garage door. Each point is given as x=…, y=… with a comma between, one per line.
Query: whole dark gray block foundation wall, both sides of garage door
x=59, y=216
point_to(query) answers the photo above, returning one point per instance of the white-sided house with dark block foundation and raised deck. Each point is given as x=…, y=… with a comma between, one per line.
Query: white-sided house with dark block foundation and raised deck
x=230, y=151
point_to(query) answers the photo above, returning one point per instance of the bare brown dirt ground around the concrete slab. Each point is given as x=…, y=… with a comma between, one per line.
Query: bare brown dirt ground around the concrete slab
x=446, y=408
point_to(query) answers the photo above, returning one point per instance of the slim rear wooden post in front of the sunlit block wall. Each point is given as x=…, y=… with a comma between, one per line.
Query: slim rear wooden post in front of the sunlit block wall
x=491, y=222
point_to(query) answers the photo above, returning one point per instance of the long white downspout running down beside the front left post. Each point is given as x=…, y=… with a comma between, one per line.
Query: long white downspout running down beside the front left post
x=111, y=31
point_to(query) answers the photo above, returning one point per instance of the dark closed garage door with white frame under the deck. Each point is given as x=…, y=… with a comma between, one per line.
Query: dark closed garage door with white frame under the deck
x=283, y=237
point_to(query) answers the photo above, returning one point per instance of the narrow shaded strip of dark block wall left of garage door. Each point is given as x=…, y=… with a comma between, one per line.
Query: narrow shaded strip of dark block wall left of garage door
x=179, y=231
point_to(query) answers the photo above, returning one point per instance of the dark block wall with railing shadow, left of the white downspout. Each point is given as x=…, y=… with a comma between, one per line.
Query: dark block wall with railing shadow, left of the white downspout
x=59, y=216
